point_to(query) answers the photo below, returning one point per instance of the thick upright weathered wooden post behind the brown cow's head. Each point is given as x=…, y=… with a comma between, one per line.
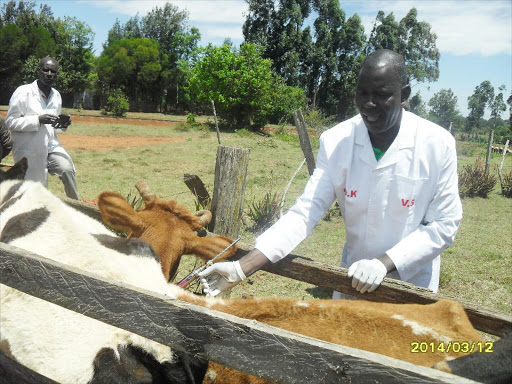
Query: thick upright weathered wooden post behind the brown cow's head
x=229, y=190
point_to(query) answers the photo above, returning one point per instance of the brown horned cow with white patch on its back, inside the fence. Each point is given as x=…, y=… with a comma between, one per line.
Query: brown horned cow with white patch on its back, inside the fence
x=388, y=329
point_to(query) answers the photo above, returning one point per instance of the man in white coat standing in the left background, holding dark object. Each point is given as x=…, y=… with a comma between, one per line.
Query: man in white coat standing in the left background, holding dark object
x=33, y=118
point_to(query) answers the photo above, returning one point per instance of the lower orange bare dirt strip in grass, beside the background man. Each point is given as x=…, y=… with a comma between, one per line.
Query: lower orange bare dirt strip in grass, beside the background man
x=98, y=143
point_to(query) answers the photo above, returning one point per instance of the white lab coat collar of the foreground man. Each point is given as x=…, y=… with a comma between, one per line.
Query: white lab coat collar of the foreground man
x=405, y=139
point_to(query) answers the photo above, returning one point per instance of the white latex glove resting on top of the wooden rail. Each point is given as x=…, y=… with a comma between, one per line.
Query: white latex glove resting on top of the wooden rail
x=367, y=274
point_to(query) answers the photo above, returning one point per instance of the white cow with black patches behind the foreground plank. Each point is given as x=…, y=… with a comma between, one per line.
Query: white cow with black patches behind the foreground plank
x=58, y=343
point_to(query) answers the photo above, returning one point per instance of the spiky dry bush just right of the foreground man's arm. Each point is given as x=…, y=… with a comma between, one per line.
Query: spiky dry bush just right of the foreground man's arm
x=474, y=181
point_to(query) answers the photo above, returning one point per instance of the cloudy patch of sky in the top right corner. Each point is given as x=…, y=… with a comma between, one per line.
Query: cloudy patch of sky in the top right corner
x=462, y=27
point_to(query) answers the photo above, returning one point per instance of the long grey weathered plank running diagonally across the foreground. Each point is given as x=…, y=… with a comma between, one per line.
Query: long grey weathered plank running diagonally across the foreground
x=241, y=344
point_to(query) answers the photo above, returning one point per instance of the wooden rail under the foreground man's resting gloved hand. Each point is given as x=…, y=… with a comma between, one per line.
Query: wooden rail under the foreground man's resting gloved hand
x=391, y=290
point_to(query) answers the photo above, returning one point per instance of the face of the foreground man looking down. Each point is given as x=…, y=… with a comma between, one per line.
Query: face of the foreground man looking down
x=379, y=98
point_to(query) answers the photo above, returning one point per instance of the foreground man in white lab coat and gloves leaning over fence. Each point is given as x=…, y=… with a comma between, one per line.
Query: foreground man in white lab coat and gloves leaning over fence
x=394, y=175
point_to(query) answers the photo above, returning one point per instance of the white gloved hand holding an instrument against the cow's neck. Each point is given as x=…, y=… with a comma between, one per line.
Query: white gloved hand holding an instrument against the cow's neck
x=221, y=276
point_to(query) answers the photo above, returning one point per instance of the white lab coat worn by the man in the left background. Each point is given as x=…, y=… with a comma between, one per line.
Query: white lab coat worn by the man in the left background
x=30, y=138
